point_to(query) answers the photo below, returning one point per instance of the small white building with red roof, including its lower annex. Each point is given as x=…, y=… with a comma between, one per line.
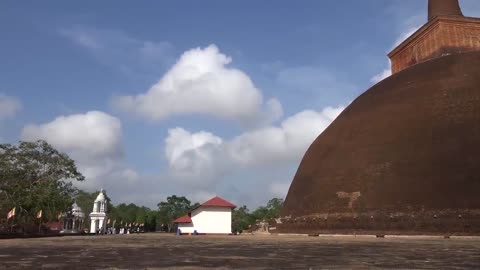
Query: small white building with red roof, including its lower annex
x=211, y=217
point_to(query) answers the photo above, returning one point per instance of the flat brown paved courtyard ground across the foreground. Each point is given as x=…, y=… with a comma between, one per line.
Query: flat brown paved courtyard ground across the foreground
x=223, y=252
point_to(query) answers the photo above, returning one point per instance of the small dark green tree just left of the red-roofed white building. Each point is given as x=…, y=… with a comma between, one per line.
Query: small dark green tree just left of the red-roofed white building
x=171, y=209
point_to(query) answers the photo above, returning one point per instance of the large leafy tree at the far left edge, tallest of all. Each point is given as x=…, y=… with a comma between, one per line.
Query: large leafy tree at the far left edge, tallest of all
x=34, y=176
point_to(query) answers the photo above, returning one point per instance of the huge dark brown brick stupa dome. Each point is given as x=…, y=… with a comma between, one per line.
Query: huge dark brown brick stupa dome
x=403, y=157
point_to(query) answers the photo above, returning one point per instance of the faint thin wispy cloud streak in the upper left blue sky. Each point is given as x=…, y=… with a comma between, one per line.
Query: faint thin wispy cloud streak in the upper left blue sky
x=121, y=51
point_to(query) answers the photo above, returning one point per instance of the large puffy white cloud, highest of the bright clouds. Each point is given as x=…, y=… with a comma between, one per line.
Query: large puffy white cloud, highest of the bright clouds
x=202, y=83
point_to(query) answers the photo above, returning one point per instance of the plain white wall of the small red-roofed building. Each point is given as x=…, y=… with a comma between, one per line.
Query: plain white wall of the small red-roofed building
x=208, y=219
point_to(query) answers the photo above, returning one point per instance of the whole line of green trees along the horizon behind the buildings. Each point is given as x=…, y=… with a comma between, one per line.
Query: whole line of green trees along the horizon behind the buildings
x=36, y=188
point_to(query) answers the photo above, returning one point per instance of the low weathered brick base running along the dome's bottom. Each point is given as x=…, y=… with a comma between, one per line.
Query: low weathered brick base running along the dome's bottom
x=446, y=221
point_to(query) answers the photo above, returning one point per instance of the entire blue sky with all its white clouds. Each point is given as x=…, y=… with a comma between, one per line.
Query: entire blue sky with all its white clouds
x=195, y=98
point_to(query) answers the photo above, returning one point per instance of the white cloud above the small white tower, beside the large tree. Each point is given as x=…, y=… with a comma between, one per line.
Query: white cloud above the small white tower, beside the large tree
x=93, y=140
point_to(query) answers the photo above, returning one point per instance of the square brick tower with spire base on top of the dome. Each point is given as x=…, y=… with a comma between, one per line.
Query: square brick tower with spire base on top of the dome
x=446, y=32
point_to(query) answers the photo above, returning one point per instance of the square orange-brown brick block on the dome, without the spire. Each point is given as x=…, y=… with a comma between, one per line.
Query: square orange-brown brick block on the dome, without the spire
x=439, y=37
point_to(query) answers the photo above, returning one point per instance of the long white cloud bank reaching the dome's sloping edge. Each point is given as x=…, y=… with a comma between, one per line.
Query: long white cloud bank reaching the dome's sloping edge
x=200, y=159
